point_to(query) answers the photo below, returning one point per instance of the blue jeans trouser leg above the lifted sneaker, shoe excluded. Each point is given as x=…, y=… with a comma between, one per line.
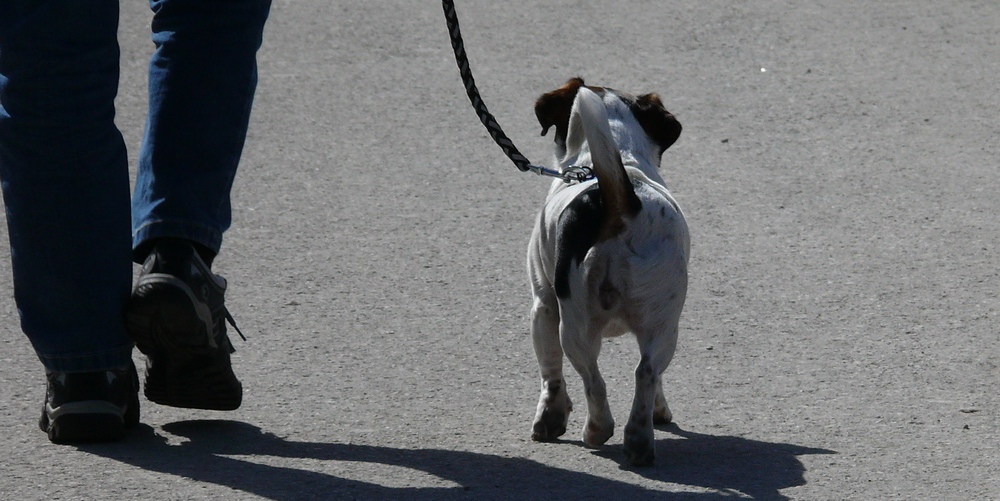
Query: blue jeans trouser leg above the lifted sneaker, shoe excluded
x=202, y=78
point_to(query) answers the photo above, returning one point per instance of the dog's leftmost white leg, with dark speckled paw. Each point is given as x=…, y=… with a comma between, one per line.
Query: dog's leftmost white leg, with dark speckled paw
x=554, y=404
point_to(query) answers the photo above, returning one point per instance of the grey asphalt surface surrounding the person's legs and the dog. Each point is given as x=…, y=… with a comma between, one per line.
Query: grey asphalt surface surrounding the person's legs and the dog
x=838, y=169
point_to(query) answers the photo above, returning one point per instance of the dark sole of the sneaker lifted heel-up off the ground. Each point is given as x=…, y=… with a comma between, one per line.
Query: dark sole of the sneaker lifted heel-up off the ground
x=185, y=367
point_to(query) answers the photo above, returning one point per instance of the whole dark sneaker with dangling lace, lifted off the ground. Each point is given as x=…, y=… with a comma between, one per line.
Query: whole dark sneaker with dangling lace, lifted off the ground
x=177, y=318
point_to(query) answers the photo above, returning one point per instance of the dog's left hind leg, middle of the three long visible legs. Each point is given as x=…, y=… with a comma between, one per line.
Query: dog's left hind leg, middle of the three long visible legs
x=582, y=342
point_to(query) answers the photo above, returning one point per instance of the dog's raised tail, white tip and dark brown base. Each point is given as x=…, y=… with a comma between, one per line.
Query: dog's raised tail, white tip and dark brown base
x=620, y=202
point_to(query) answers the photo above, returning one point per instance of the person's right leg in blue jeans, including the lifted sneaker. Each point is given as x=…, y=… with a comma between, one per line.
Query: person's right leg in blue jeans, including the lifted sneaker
x=202, y=78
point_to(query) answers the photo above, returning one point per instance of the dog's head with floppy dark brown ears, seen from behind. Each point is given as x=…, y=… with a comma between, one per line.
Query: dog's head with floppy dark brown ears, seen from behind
x=553, y=110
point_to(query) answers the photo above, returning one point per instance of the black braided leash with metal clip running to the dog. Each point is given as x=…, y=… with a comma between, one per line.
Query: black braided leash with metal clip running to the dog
x=571, y=174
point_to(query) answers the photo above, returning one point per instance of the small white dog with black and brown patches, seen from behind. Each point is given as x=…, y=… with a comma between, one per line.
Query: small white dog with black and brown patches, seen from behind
x=607, y=256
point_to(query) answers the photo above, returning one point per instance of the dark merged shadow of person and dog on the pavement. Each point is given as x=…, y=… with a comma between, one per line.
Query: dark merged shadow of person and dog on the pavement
x=728, y=466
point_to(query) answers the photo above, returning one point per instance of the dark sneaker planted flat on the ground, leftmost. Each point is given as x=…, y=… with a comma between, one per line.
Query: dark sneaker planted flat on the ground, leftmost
x=90, y=406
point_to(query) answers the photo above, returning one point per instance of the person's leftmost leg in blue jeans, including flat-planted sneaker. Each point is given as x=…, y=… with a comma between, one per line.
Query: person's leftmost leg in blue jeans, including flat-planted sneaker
x=65, y=185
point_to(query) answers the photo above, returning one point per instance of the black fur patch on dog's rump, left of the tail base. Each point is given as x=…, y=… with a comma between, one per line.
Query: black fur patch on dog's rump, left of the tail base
x=578, y=230
